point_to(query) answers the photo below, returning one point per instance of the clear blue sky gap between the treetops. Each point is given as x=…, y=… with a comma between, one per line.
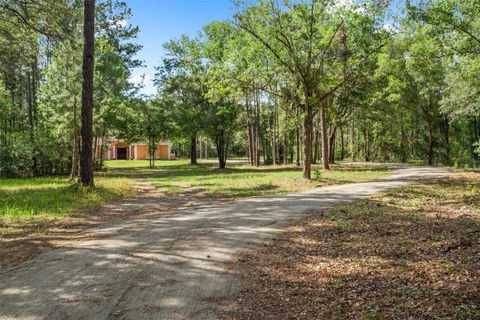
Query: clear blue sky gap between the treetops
x=162, y=20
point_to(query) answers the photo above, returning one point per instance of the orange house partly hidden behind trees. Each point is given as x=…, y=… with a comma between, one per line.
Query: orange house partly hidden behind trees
x=116, y=149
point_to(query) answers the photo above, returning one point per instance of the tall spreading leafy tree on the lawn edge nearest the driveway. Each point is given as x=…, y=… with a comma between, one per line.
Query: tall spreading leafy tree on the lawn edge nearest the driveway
x=302, y=38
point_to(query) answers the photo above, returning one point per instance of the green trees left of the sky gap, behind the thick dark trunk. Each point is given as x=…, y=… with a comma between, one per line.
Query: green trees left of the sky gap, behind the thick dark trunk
x=41, y=45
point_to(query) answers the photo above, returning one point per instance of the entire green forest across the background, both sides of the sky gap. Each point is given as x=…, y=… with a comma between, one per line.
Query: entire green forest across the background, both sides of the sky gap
x=281, y=82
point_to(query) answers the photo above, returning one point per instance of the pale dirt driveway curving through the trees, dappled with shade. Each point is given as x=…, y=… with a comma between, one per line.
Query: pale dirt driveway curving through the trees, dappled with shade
x=165, y=267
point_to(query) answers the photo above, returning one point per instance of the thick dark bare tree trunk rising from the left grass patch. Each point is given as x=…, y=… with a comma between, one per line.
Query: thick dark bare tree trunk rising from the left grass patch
x=86, y=163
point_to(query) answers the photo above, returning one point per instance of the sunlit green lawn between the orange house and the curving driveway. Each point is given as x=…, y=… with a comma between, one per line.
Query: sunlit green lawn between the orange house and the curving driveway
x=236, y=180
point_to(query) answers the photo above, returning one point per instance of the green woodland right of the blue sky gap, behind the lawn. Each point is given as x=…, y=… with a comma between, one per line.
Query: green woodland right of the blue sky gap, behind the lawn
x=315, y=81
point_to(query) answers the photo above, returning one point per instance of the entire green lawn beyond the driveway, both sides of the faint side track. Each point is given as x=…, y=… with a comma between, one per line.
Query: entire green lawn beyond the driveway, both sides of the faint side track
x=31, y=202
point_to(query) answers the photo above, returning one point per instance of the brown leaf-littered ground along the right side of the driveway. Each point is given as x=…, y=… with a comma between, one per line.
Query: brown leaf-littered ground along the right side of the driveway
x=412, y=253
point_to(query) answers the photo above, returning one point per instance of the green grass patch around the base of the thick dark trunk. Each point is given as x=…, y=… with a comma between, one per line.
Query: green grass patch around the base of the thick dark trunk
x=30, y=199
